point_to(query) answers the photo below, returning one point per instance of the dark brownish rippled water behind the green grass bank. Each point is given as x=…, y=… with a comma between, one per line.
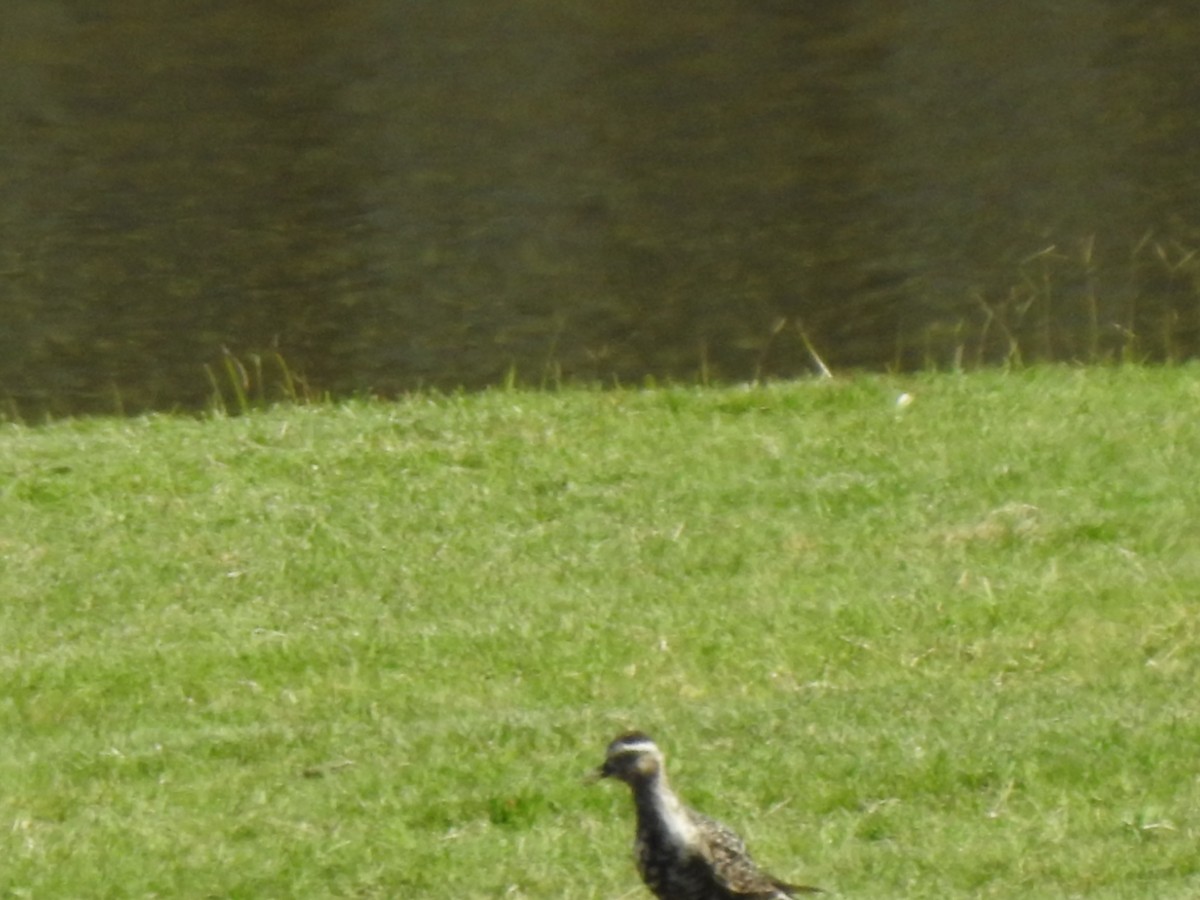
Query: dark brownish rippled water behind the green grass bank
x=397, y=194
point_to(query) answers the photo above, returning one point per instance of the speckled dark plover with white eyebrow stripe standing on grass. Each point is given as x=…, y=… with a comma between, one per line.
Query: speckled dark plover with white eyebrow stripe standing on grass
x=681, y=854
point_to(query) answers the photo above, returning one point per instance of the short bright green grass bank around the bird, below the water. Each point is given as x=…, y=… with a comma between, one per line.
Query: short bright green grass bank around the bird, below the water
x=946, y=650
